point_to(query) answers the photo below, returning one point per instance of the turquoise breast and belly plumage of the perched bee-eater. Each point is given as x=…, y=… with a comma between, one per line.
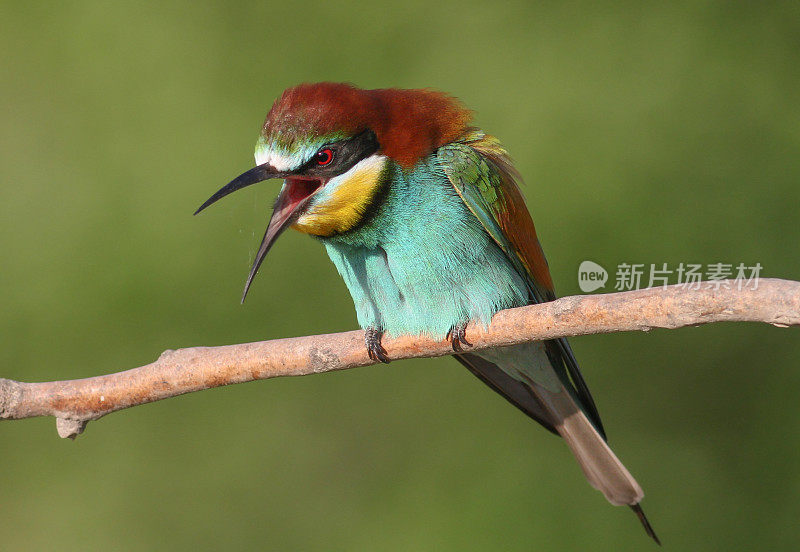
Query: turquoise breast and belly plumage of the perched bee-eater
x=423, y=263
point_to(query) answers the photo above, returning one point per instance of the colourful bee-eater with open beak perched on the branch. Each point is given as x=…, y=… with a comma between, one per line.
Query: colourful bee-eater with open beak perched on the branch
x=422, y=215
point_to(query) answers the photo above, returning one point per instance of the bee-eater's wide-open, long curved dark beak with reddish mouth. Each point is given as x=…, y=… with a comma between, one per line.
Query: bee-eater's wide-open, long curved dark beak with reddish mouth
x=289, y=205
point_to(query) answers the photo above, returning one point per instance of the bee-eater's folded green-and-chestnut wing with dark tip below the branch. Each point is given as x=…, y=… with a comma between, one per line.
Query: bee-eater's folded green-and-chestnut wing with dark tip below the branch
x=481, y=172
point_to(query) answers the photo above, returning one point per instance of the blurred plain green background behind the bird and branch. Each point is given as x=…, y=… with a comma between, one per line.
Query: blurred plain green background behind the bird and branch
x=651, y=134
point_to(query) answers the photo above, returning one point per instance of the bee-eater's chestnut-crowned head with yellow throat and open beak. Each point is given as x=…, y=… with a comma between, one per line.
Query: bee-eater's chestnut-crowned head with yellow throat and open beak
x=331, y=144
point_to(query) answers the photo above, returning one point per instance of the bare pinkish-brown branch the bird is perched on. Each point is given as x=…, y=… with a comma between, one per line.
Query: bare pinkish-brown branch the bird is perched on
x=76, y=402
